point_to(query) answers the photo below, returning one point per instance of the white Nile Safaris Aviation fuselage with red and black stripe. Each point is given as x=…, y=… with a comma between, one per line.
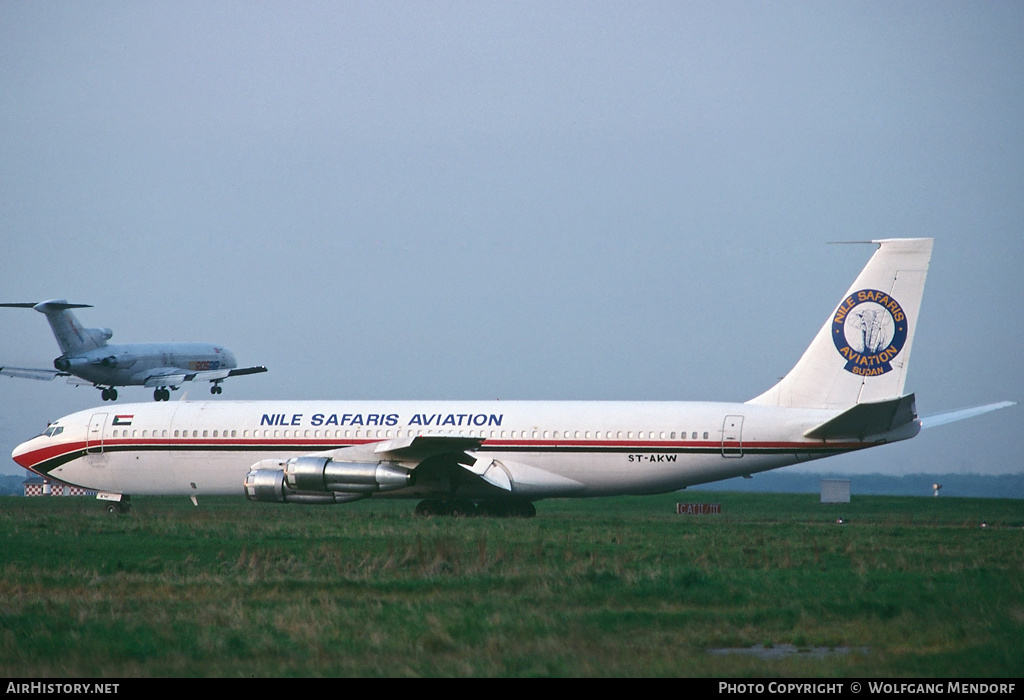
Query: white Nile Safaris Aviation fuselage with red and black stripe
x=549, y=449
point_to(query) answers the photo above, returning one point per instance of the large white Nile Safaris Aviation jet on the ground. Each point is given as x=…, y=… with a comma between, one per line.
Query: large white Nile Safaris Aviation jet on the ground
x=497, y=458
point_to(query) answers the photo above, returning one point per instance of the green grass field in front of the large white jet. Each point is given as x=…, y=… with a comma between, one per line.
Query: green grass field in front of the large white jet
x=621, y=587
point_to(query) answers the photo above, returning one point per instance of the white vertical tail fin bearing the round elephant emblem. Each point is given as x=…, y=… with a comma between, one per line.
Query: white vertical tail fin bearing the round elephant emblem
x=862, y=354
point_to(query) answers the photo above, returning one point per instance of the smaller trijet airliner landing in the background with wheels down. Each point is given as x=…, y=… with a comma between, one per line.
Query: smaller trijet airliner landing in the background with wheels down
x=88, y=360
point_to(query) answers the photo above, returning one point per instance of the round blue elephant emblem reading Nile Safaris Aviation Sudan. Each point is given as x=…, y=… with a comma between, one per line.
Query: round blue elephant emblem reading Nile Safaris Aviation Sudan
x=870, y=330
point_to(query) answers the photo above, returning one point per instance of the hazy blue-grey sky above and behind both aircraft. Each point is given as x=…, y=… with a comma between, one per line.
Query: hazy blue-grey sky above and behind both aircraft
x=517, y=200
